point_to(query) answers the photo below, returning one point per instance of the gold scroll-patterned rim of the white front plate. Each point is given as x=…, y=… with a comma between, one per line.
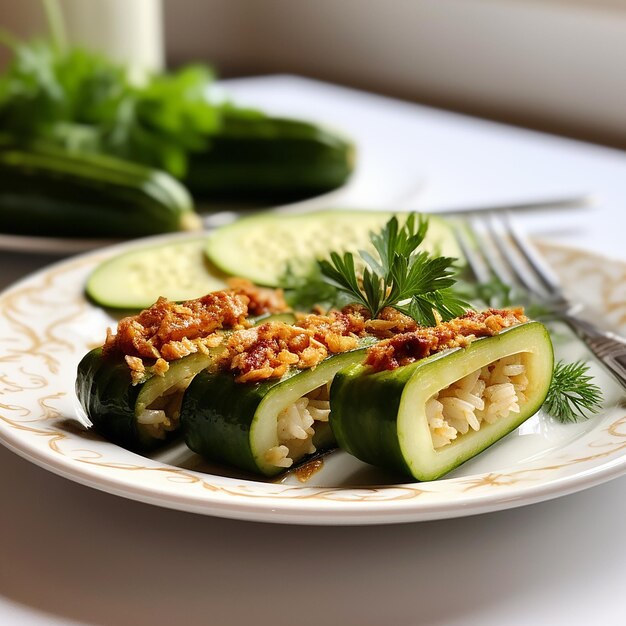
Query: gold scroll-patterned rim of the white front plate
x=46, y=325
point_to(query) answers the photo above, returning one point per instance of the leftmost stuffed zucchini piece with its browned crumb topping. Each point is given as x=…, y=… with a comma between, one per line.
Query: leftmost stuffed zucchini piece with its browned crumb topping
x=132, y=387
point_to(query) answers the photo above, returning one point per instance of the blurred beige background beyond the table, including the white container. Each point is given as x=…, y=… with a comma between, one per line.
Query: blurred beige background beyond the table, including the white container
x=552, y=65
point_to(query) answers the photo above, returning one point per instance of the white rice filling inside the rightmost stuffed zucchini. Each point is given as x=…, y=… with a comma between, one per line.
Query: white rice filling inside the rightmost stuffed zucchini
x=486, y=395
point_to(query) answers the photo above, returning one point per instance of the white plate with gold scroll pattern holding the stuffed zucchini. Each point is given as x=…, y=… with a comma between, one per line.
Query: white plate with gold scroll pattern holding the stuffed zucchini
x=46, y=325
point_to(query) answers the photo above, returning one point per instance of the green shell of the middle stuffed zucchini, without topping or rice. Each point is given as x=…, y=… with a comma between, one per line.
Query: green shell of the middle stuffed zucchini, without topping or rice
x=237, y=424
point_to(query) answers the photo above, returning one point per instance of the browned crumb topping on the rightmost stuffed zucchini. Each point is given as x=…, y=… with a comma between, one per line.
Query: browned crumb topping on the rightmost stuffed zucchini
x=409, y=347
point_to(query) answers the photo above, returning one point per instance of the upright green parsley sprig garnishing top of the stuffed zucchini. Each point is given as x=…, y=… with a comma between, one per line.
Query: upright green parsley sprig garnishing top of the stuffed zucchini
x=401, y=277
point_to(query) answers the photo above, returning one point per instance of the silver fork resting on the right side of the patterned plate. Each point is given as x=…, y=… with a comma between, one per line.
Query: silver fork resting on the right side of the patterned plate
x=492, y=246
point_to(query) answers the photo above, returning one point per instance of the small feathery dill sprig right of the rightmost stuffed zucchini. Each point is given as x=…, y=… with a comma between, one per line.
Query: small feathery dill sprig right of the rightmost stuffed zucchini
x=572, y=396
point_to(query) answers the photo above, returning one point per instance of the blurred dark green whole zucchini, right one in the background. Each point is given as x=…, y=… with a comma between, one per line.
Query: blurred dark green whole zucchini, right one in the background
x=255, y=158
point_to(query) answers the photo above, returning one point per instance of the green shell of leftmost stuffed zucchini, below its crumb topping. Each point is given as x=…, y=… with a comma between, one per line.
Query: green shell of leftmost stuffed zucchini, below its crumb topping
x=139, y=416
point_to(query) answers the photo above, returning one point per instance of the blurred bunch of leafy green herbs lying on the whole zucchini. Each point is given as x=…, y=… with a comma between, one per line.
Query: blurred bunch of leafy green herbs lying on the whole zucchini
x=85, y=102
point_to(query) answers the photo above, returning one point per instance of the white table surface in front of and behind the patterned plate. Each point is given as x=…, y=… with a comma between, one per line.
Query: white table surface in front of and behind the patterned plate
x=70, y=554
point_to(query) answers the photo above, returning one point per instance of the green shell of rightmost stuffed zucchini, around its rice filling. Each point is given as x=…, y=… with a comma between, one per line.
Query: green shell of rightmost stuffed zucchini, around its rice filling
x=383, y=418
